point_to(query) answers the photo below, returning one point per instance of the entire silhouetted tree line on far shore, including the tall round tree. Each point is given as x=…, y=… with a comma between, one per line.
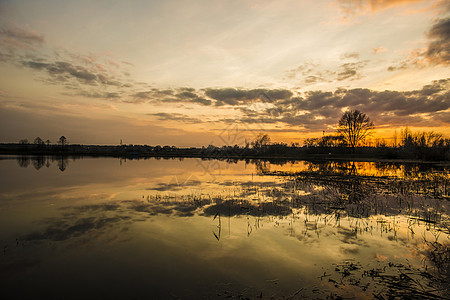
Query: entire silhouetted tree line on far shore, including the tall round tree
x=352, y=137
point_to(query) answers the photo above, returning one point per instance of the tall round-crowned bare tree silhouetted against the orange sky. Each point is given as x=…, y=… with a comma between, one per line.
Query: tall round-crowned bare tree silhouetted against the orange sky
x=354, y=126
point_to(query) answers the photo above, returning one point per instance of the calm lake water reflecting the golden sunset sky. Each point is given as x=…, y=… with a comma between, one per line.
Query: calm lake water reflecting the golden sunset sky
x=159, y=229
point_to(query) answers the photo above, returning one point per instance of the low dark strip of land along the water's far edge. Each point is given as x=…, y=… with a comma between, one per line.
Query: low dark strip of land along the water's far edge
x=228, y=153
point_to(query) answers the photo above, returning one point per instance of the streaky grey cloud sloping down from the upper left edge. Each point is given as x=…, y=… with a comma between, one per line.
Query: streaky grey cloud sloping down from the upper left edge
x=26, y=48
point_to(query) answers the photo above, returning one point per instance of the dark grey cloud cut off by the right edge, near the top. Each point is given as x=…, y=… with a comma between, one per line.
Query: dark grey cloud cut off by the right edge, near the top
x=438, y=51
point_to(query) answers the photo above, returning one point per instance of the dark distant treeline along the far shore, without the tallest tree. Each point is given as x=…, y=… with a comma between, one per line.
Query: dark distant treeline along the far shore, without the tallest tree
x=429, y=146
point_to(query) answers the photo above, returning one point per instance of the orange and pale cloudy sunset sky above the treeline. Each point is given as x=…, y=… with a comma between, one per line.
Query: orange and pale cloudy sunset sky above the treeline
x=193, y=73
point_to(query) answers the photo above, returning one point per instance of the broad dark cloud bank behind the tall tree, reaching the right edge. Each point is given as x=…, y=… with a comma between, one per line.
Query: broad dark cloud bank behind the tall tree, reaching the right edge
x=319, y=110
